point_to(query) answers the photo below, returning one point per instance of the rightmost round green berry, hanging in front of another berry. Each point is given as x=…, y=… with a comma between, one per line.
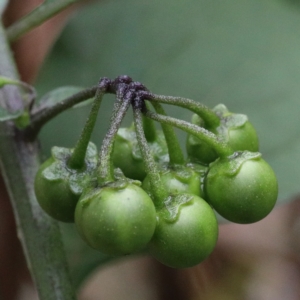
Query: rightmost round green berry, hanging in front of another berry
x=242, y=187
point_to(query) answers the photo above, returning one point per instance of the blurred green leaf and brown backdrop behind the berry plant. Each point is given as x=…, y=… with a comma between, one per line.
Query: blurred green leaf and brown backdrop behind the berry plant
x=242, y=53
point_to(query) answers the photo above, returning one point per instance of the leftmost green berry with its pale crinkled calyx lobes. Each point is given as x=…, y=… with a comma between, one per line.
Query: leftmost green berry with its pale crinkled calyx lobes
x=58, y=187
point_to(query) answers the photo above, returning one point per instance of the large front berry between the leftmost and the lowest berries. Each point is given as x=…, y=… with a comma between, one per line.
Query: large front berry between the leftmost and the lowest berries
x=116, y=219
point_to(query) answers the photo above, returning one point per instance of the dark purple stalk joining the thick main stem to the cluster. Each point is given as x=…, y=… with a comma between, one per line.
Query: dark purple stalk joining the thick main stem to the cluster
x=40, y=118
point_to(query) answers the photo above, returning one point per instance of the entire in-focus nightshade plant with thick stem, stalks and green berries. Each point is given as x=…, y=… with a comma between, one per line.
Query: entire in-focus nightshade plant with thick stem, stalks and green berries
x=169, y=215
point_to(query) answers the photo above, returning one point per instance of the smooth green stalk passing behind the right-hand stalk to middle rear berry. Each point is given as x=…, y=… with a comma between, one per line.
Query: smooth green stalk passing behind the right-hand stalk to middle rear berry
x=175, y=153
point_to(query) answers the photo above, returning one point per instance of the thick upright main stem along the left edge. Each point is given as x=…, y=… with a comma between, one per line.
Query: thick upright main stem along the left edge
x=39, y=234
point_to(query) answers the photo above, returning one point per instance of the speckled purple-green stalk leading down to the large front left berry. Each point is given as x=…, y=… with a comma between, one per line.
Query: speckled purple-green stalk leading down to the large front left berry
x=105, y=169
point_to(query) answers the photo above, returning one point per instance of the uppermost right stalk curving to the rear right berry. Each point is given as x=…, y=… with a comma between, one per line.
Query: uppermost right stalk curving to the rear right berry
x=209, y=117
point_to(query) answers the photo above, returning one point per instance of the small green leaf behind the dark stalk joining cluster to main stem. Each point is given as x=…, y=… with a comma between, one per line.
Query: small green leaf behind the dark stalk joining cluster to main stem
x=57, y=95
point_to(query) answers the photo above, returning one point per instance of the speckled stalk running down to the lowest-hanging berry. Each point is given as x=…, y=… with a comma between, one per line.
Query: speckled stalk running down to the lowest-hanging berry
x=159, y=193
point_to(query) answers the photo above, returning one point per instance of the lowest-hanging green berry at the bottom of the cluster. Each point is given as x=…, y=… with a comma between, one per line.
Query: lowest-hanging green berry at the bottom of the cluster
x=186, y=233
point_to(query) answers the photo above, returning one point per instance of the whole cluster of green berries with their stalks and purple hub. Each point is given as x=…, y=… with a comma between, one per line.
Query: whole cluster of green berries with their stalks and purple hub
x=141, y=193
